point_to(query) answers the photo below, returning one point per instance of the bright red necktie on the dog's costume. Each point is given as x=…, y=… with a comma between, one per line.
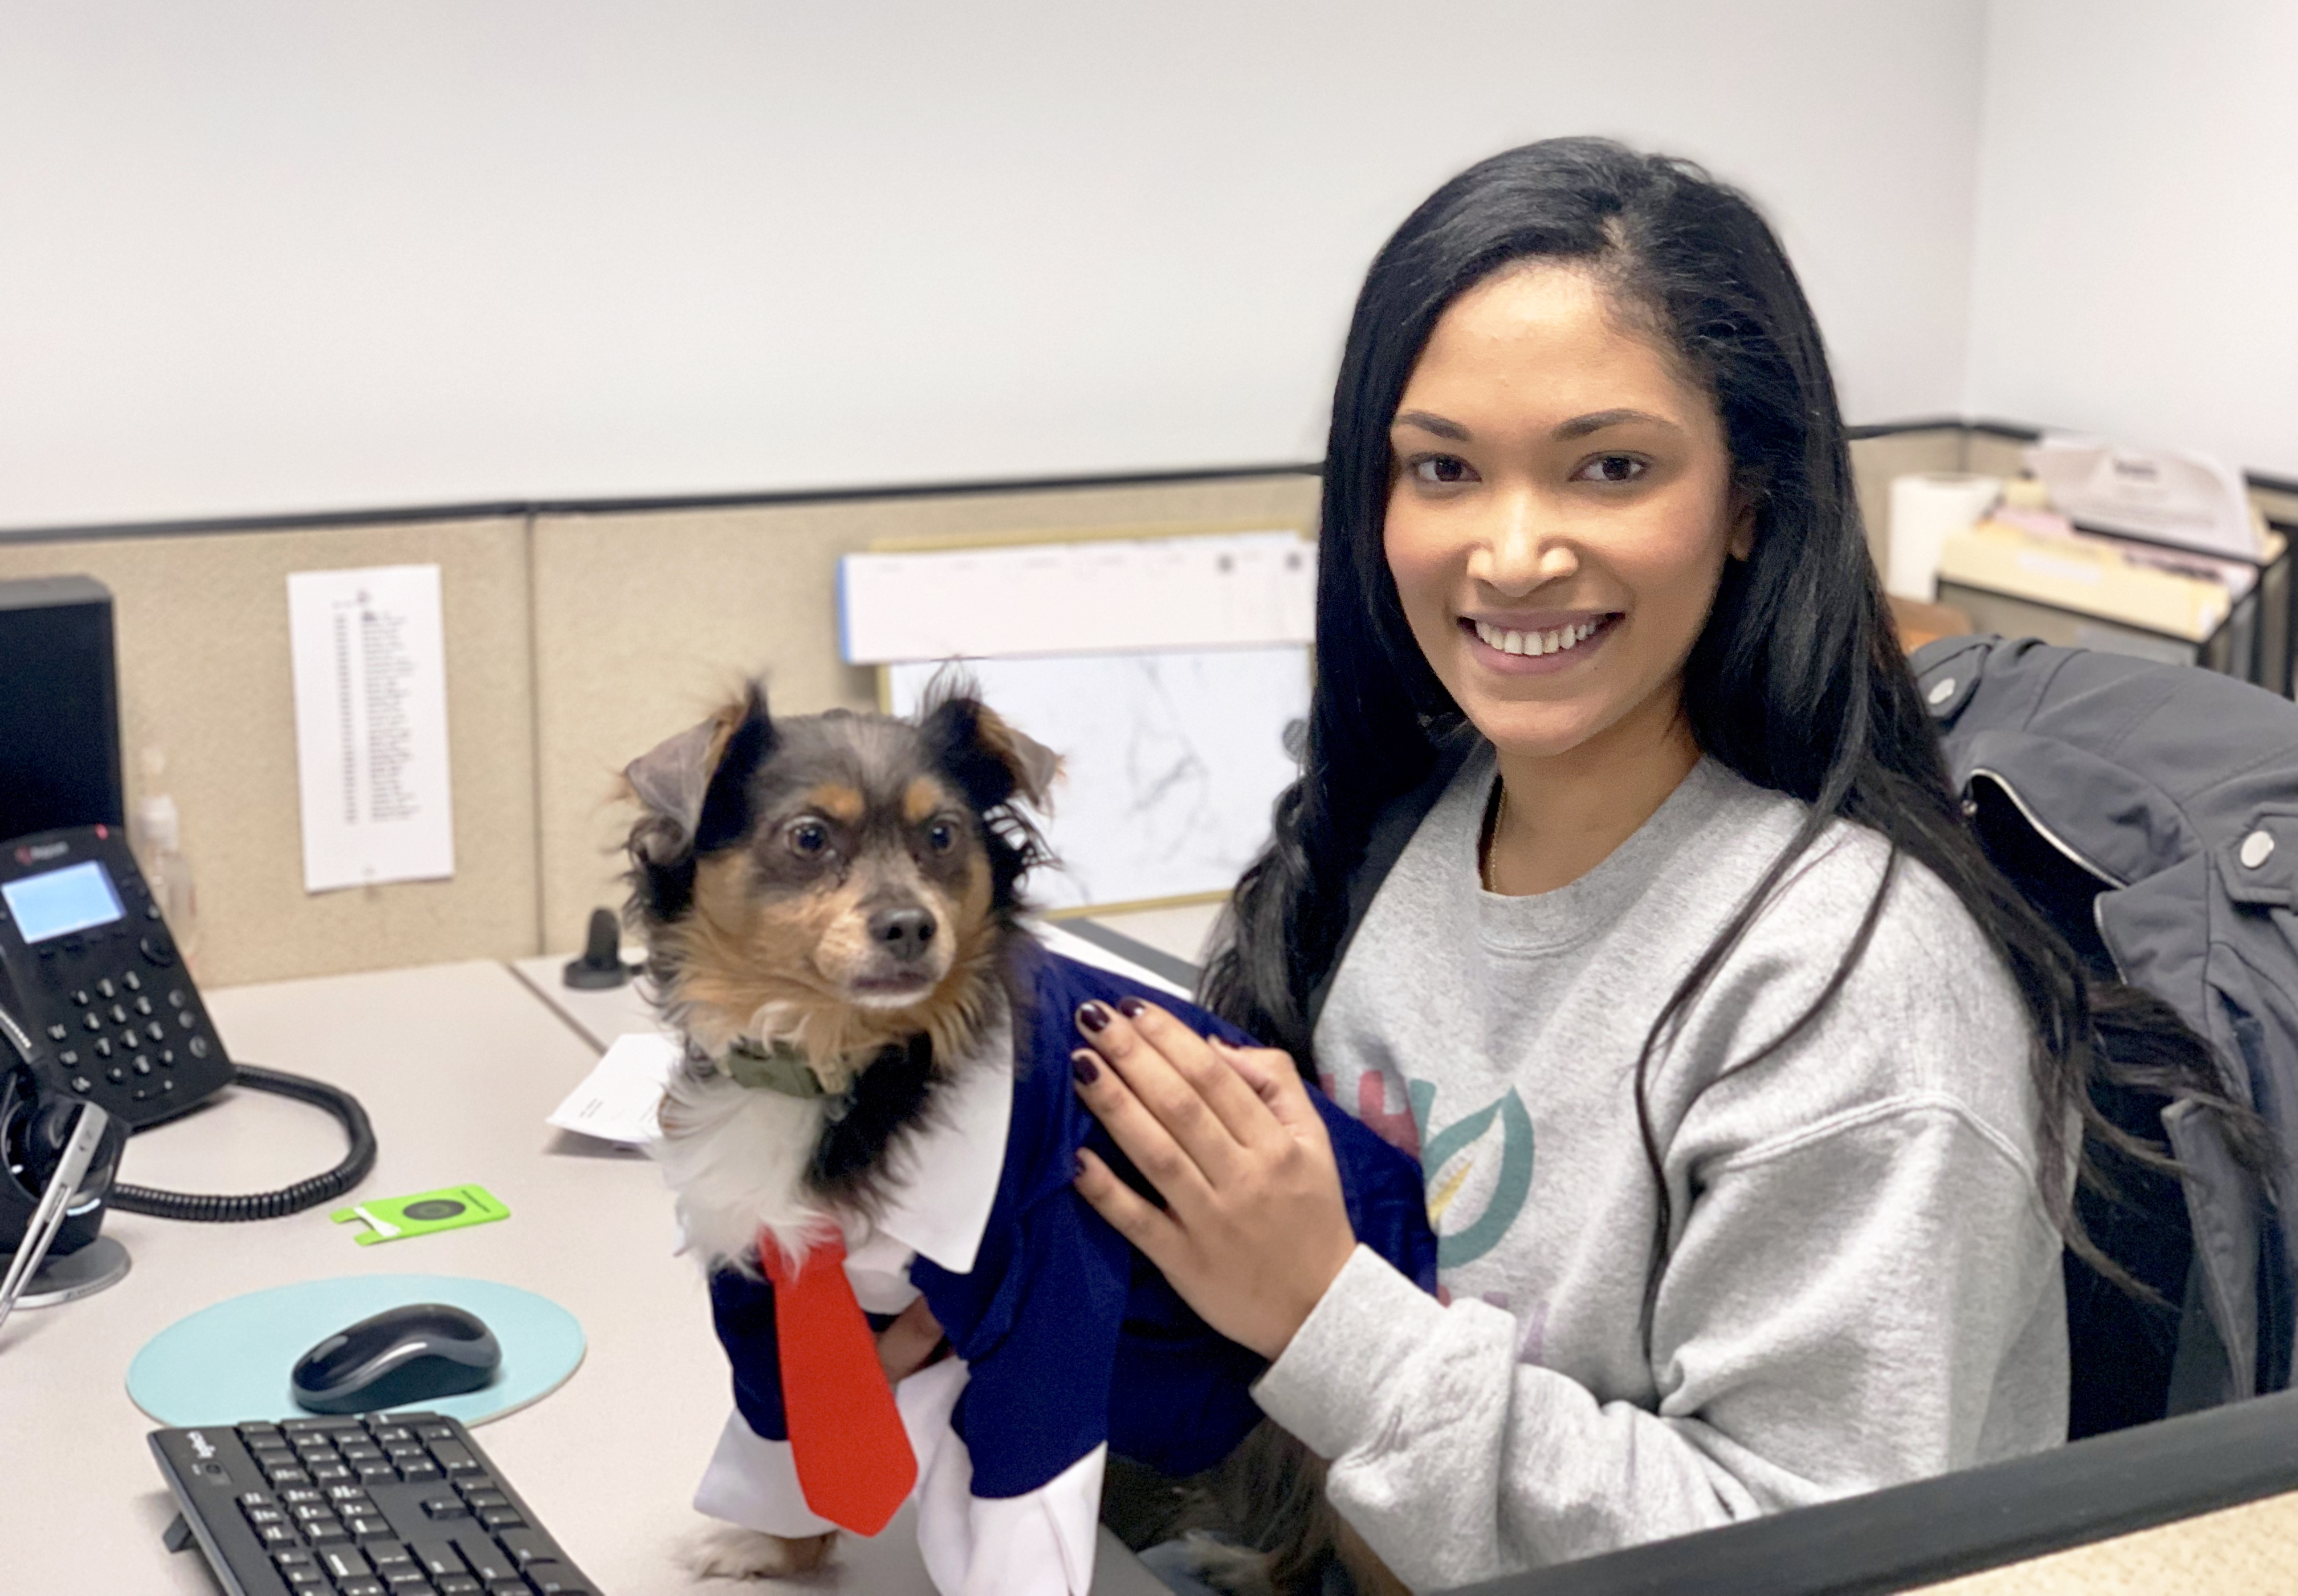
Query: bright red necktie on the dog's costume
x=854, y=1457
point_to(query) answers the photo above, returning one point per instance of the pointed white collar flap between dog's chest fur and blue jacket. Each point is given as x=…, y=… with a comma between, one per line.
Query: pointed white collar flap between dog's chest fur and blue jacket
x=941, y=1197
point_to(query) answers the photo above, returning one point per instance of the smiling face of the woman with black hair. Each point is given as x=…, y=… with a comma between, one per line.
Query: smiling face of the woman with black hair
x=1559, y=514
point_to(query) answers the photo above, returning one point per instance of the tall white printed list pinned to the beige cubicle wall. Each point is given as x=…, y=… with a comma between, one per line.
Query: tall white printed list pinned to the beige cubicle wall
x=371, y=726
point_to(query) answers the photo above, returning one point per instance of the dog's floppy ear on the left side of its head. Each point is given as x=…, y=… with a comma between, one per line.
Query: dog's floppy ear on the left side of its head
x=695, y=797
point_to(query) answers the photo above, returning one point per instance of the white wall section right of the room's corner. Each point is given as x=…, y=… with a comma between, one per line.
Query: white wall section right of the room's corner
x=2138, y=224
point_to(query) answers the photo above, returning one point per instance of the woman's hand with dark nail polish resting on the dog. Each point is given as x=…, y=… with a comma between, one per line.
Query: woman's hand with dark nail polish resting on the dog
x=1254, y=1225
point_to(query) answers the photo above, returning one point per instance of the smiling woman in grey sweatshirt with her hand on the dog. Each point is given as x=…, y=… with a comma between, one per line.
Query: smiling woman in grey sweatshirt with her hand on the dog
x=1748, y=1096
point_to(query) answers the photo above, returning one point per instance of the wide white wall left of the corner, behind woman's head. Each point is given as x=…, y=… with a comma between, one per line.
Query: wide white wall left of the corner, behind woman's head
x=282, y=256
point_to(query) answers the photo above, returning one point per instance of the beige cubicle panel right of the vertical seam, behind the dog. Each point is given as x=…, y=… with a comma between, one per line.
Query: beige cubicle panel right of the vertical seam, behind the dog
x=647, y=620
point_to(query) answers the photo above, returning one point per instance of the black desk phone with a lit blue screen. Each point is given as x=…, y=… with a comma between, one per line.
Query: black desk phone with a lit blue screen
x=95, y=981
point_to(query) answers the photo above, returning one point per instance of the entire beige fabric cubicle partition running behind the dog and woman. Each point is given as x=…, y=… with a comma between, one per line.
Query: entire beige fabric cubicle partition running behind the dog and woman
x=573, y=643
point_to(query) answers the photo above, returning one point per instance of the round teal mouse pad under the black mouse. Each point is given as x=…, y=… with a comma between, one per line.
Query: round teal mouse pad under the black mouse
x=231, y=1363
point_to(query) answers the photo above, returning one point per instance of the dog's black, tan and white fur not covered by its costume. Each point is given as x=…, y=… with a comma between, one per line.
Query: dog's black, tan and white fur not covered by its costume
x=851, y=884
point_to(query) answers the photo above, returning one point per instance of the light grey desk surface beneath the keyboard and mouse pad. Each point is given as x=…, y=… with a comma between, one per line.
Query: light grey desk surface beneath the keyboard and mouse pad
x=456, y=1066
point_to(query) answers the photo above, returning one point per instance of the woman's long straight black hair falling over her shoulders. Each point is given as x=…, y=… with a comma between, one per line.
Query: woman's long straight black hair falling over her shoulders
x=1796, y=682
